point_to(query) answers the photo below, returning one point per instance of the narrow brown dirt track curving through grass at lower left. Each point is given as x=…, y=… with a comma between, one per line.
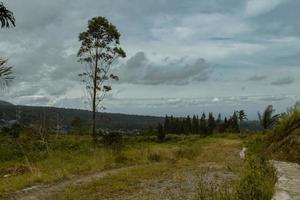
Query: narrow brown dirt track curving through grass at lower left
x=41, y=192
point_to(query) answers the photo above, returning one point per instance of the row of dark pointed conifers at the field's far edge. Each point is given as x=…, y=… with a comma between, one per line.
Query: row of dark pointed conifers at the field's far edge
x=204, y=125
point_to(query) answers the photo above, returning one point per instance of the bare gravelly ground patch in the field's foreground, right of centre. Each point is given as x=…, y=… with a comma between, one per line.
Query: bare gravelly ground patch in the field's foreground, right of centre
x=182, y=185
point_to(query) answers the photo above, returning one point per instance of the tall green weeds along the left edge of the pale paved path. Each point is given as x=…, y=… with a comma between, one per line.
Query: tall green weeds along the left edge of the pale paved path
x=256, y=183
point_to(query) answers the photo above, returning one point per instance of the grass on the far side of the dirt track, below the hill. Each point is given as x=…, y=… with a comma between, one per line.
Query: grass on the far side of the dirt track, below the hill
x=75, y=155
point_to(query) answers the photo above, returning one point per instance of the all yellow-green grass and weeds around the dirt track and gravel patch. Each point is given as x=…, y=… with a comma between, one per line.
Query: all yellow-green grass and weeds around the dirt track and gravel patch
x=29, y=163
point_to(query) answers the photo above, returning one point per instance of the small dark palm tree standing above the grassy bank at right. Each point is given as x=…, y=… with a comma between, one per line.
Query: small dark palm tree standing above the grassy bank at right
x=267, y=120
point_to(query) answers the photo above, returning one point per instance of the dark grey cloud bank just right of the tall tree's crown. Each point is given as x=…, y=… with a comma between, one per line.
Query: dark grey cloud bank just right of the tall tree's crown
x=139, y=70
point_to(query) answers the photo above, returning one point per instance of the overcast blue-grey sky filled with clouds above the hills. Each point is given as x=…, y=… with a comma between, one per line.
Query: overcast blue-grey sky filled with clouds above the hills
x=183, y=57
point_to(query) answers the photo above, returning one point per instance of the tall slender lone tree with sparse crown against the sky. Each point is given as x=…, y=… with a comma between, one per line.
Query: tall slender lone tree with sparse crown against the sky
x=100, y=48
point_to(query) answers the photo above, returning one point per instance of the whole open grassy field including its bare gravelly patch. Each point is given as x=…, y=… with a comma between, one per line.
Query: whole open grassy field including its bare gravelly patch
x=176, y=167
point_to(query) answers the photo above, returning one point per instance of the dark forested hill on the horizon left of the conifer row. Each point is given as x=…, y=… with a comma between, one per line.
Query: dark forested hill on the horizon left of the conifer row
x=30, y=114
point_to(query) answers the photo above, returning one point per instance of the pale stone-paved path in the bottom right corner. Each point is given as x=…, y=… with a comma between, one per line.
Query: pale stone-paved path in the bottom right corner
x=288, y=186
